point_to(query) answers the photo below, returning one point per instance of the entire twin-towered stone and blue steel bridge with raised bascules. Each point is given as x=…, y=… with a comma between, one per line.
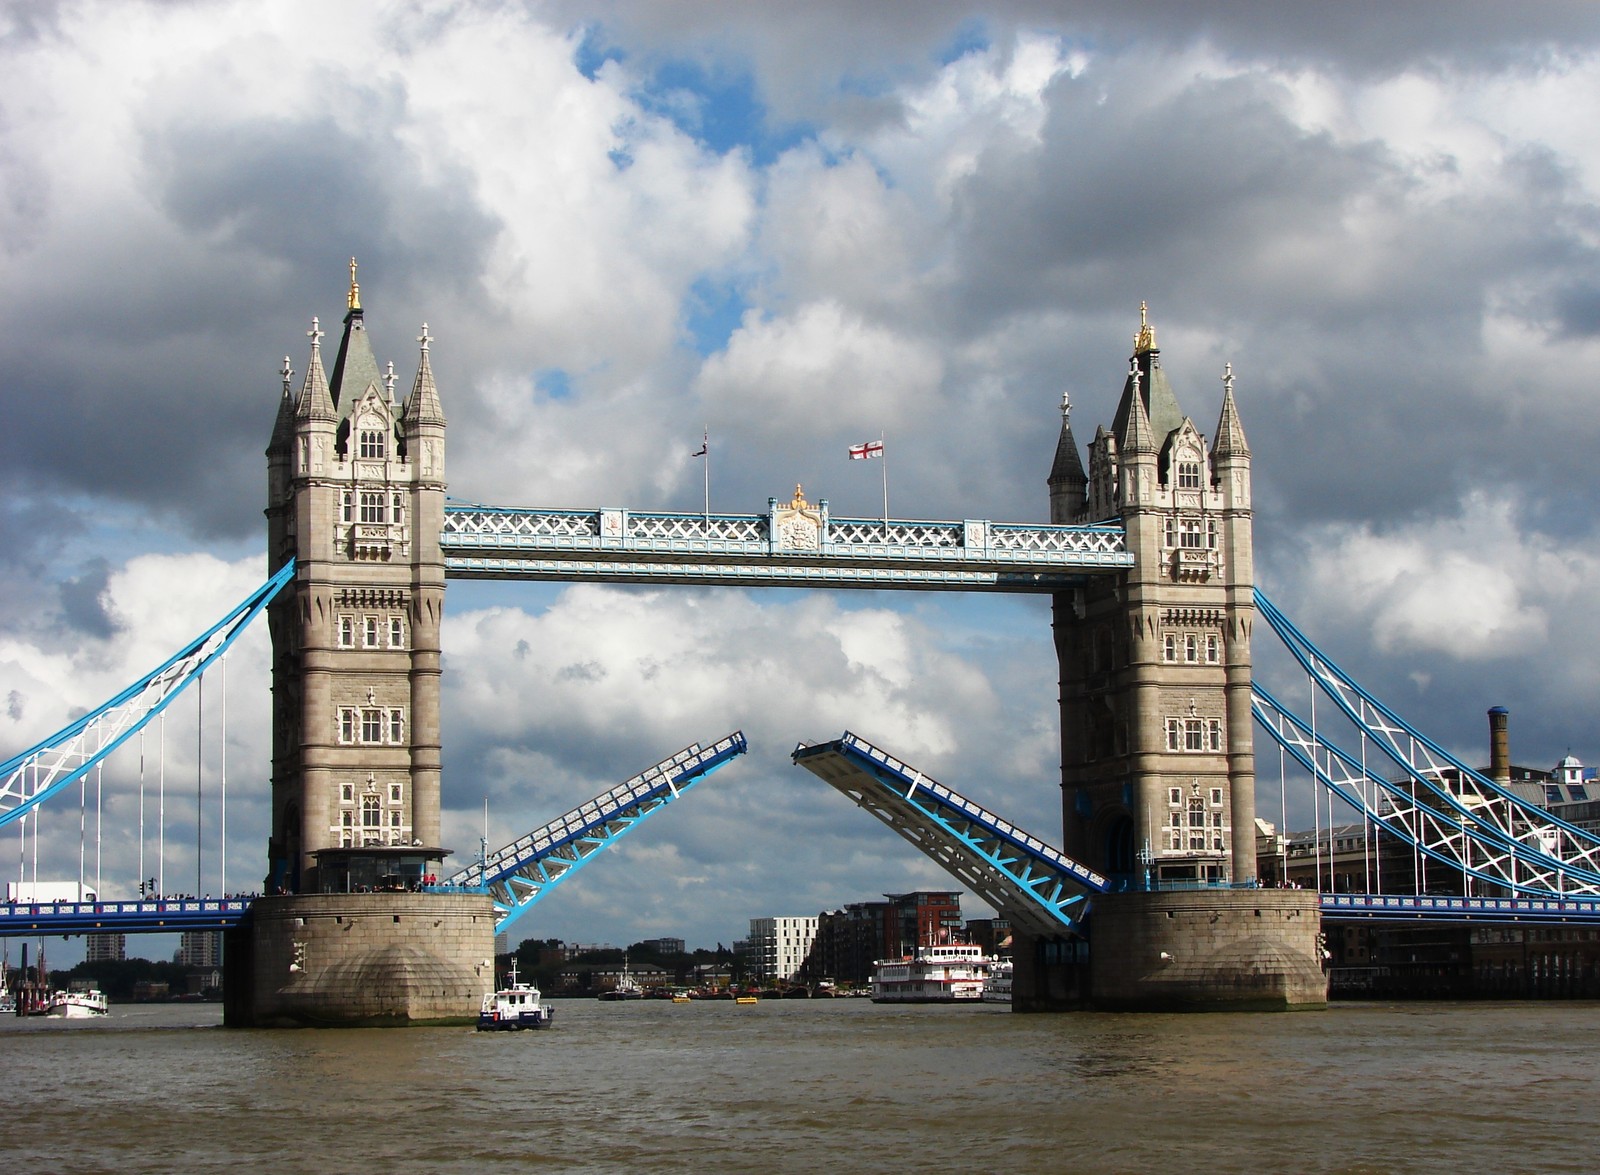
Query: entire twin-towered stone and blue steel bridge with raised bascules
x=1148, y=561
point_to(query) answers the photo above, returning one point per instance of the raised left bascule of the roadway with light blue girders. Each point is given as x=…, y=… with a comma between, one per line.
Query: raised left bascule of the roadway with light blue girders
x=529, y=868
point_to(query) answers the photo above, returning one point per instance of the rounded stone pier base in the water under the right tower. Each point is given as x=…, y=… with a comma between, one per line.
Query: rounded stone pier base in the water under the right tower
x=1207, y=952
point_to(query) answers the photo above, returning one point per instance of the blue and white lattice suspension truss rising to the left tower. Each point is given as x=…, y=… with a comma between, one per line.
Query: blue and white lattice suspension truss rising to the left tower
x=38, y=774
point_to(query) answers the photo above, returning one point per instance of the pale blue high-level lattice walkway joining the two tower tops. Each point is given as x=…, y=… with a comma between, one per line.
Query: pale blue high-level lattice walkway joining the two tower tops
x=794, y=545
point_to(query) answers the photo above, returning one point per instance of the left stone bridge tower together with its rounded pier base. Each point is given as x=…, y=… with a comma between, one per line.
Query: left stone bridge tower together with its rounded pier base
x=356, y=497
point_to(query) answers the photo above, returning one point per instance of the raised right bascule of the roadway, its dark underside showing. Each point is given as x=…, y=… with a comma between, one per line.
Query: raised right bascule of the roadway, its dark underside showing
x=1038, y=888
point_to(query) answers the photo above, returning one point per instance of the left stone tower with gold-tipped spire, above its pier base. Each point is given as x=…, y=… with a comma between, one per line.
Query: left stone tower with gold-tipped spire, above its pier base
x=358, y=497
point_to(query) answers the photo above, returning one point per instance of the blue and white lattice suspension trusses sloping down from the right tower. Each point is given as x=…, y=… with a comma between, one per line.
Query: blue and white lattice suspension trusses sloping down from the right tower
x=1446, y=809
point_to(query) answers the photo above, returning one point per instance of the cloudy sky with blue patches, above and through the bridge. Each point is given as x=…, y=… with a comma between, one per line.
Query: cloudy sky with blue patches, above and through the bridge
x=793, y=228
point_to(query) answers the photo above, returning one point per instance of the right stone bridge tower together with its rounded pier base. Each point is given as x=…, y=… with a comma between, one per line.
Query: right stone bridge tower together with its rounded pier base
x=1158, y=764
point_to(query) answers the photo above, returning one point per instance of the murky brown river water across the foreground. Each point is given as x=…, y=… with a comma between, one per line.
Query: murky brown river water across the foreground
x=817, y=1086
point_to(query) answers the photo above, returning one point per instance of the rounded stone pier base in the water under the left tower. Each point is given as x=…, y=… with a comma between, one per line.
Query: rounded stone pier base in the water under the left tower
x=362, y=960
